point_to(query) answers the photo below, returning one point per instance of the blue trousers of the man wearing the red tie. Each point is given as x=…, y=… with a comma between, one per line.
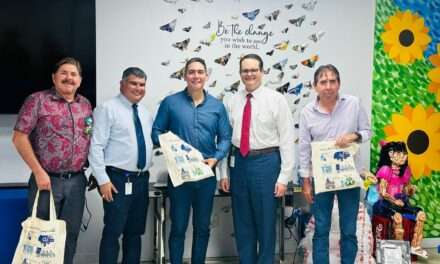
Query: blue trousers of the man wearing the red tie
x=254, y=206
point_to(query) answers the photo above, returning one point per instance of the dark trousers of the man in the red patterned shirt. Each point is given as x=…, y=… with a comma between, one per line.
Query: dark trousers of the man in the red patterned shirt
x=69, y=197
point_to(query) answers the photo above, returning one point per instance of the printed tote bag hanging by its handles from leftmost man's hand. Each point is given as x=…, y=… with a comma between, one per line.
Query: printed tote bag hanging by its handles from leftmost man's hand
x=41, y=241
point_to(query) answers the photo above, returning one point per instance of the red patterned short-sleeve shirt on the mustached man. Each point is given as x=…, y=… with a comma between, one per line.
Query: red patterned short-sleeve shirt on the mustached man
x=57, y=129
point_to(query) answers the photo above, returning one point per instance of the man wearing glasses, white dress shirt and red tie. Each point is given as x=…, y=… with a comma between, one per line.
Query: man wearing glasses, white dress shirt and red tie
x=261, y=162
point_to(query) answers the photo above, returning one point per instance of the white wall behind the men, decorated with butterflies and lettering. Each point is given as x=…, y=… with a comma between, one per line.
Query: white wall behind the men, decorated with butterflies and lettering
x=128, y=35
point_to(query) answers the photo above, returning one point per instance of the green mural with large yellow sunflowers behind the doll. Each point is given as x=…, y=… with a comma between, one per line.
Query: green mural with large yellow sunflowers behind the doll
x=406, y=93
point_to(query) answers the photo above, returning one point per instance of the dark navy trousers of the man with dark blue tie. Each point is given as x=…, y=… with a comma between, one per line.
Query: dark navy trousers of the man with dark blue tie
x=127, y=216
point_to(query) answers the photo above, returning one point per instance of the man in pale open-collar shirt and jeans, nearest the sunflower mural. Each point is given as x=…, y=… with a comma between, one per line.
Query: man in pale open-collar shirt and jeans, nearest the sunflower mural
x=339, y=117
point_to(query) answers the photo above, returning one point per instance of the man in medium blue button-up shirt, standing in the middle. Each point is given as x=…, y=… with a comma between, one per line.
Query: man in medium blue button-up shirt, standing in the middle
x=201, y=120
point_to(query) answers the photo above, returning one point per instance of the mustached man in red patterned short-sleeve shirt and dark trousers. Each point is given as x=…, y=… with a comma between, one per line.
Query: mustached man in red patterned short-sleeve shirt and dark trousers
x=52, y=135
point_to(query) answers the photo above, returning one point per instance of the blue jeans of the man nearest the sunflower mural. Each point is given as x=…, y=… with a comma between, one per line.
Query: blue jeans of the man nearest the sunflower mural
x=322, y=206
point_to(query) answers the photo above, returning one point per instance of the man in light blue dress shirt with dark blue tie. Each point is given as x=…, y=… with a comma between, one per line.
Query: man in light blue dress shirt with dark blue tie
x=113, y=158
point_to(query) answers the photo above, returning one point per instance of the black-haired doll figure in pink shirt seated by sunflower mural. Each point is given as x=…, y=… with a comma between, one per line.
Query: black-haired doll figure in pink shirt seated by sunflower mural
x=394, y=189
